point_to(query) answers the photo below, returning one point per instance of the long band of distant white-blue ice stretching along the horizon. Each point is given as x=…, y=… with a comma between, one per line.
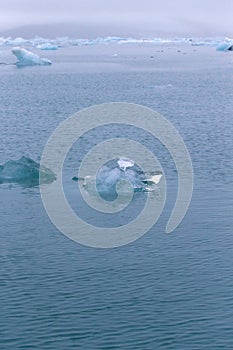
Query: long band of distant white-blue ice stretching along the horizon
x=52, y=44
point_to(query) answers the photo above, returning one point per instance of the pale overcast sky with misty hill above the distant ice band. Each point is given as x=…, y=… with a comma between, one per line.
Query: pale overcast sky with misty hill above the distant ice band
x=144, y=17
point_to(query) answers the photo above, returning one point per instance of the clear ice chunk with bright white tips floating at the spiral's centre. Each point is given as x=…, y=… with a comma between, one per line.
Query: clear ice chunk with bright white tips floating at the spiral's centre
x=121, y=174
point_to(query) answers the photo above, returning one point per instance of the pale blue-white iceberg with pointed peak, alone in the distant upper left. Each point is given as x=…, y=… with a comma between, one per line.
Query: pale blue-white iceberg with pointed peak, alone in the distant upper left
x=28, y=58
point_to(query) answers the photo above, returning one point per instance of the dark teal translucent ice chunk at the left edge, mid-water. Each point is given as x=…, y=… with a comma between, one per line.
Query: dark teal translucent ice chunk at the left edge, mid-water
x=25, y=171
